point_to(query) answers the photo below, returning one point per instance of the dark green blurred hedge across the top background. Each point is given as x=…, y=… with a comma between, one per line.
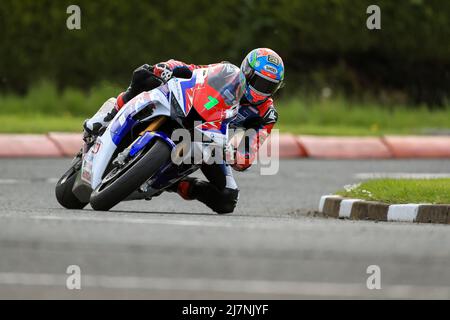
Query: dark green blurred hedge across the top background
x=325, y=43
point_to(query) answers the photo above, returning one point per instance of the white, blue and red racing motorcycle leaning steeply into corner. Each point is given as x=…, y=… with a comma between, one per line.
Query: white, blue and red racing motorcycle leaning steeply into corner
x=136, y=158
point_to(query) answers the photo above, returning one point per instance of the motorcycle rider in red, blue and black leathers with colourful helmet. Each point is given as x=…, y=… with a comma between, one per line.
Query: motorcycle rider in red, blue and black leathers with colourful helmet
x=264, y=72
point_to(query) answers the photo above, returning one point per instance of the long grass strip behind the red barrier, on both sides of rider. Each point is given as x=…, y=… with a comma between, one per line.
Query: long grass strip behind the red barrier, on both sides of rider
x=44, y=109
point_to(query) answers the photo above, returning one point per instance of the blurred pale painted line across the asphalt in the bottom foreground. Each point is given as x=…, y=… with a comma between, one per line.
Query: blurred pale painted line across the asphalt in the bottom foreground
x=310, y=289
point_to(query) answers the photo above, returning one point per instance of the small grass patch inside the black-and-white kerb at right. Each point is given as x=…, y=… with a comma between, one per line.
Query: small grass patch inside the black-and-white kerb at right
x=401, y=191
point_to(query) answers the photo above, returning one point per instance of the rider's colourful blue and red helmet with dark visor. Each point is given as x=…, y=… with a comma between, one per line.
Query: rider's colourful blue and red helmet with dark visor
x=264, y=70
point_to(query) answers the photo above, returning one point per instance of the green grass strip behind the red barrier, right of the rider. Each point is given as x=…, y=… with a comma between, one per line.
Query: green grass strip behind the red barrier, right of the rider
x=339, y=116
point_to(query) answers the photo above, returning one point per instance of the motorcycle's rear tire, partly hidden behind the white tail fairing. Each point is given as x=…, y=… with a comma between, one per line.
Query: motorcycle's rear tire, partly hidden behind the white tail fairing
x=63, y=189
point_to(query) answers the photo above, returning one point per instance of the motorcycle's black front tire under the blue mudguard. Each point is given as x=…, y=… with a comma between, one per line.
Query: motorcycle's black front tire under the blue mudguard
x=109, y=194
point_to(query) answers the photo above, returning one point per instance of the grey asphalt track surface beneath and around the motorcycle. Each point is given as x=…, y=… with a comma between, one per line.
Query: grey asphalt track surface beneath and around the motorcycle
x=274, y=246
